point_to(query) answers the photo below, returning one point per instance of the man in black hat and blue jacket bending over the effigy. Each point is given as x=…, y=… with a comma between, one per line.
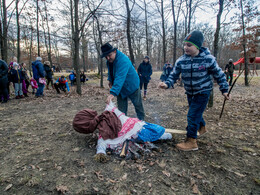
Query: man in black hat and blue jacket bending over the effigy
x=123, y=80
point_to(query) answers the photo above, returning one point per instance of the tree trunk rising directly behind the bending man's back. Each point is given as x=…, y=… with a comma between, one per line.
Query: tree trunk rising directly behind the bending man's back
x=128, y=26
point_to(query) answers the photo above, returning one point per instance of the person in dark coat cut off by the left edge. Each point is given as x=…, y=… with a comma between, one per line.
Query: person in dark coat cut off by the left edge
x=3, y=81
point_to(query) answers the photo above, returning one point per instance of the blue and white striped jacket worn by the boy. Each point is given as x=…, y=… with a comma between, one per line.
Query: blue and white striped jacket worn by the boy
x=197, y=73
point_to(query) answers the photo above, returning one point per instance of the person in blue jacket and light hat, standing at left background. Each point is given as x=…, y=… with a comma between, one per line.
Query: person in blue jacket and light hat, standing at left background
x=38, y=72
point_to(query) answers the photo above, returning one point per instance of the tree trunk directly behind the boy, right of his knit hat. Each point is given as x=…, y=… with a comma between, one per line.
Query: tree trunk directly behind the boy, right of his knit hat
x=216, y=40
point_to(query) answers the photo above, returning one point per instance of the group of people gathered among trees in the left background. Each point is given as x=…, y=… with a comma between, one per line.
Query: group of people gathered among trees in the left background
x=16, y=75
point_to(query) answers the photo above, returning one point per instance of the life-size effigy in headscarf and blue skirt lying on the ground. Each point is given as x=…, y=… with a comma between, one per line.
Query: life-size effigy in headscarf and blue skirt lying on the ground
x=115, y=129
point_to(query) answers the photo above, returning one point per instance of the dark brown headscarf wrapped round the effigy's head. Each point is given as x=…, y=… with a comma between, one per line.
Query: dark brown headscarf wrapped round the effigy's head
x=86, y=121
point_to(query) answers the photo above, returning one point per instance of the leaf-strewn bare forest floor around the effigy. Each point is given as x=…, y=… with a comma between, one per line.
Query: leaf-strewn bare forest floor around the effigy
x=41, y=153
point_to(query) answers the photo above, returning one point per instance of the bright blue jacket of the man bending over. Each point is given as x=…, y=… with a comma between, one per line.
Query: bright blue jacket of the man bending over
x=126, y=80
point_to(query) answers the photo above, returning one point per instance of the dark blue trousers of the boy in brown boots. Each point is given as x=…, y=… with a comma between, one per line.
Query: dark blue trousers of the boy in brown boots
x=197, y=105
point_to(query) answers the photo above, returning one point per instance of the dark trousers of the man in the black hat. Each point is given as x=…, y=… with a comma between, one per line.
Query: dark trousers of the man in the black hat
x=136, y=99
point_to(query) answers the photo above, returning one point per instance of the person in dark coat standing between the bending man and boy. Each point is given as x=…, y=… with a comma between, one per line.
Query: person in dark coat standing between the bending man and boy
x=145, y=71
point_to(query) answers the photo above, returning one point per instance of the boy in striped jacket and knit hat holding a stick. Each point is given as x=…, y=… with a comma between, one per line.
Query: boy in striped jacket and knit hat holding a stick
x=197, y=67
